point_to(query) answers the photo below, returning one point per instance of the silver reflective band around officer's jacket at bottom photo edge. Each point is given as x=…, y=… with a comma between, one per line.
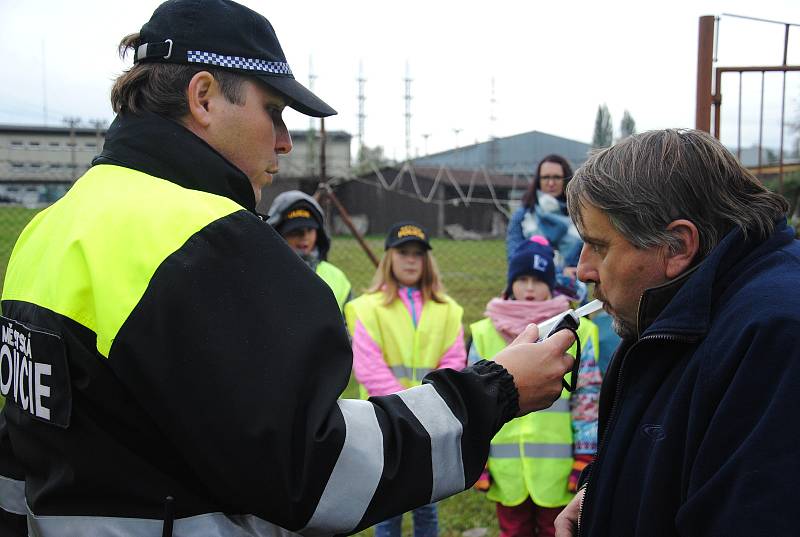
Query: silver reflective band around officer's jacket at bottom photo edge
x=207, y=525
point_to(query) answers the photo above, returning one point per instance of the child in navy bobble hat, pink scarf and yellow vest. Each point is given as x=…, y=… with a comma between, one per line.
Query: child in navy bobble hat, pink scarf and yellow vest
x=534, y=461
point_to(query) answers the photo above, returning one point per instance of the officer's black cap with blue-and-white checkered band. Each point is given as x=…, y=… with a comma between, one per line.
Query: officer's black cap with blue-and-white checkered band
x=224, y=35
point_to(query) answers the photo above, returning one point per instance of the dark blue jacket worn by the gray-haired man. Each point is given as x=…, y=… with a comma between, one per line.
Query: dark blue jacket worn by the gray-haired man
x=699, y=416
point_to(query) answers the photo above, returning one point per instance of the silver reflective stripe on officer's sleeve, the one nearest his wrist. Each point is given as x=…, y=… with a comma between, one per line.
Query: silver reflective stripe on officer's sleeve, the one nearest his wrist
x=445, y=431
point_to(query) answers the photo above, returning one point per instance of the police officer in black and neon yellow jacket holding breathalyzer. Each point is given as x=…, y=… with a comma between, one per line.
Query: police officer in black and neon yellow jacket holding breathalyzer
x=189, y=389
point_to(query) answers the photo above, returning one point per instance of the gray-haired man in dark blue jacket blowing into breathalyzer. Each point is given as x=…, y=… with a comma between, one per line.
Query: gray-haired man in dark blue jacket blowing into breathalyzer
x=696, y=264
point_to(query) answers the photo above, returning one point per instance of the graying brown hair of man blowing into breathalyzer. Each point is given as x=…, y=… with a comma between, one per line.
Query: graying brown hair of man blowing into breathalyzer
x=651, y=179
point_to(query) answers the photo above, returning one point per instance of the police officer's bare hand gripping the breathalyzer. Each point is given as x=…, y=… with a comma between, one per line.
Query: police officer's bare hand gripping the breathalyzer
x=537, y=368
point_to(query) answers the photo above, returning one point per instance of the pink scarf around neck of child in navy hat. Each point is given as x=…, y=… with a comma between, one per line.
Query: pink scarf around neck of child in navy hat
x=511, y=317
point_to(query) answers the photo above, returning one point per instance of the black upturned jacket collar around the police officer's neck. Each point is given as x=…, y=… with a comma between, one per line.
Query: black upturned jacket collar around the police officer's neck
x=165, y=149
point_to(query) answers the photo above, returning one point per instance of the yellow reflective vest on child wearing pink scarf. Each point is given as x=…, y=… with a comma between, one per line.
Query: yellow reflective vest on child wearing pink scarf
x=531, y=455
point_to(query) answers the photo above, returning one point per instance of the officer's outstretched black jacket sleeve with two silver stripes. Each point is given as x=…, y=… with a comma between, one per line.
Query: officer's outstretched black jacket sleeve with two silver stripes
x=239, y=352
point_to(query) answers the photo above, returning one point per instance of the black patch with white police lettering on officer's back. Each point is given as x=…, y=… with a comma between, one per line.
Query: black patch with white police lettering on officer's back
x=33, y=372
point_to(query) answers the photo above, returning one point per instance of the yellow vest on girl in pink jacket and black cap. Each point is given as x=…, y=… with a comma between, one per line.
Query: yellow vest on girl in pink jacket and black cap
x=411, y=352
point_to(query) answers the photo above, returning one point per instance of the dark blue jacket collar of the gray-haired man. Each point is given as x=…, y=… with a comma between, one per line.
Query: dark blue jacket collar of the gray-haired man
x=683, y=306
